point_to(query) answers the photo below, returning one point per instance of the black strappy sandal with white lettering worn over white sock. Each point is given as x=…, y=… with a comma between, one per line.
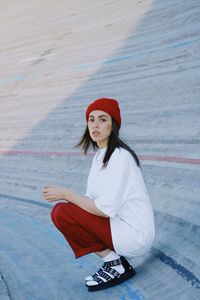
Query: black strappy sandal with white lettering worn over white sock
x=107, y=276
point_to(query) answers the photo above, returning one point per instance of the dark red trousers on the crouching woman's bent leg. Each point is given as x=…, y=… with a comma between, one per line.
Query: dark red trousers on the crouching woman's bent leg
x=85, y=232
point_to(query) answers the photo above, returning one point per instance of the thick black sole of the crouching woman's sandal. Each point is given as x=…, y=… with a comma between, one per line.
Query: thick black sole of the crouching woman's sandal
x=116, y=281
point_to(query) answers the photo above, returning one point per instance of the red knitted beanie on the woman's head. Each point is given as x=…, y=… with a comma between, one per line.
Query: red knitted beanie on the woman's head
x=110, y=106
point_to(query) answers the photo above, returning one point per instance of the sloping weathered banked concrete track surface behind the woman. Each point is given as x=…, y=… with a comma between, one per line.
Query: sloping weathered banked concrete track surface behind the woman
x=56, y=58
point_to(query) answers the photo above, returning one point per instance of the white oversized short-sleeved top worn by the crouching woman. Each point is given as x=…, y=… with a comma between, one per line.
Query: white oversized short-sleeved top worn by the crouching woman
x=119, y=191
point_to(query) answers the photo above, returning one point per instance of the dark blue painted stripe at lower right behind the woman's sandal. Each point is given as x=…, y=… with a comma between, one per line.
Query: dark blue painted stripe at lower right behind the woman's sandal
x=186, y=274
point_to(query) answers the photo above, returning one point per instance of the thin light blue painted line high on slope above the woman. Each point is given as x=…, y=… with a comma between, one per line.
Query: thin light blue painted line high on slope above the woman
x=115, y=59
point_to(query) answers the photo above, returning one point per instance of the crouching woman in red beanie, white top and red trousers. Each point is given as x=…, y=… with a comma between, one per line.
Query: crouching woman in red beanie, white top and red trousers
x=115, y=218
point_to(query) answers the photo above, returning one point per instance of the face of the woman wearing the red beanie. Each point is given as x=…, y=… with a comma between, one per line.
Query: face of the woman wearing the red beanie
x=100, y=126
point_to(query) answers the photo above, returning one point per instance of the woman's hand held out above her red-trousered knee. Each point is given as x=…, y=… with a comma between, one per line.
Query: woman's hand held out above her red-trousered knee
x=53, y=193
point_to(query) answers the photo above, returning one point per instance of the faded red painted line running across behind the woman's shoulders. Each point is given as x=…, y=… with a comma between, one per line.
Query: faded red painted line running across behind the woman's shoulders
x=181, y=160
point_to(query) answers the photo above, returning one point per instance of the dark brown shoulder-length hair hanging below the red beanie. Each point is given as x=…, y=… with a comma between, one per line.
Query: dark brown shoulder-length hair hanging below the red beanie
x=113, y=142
